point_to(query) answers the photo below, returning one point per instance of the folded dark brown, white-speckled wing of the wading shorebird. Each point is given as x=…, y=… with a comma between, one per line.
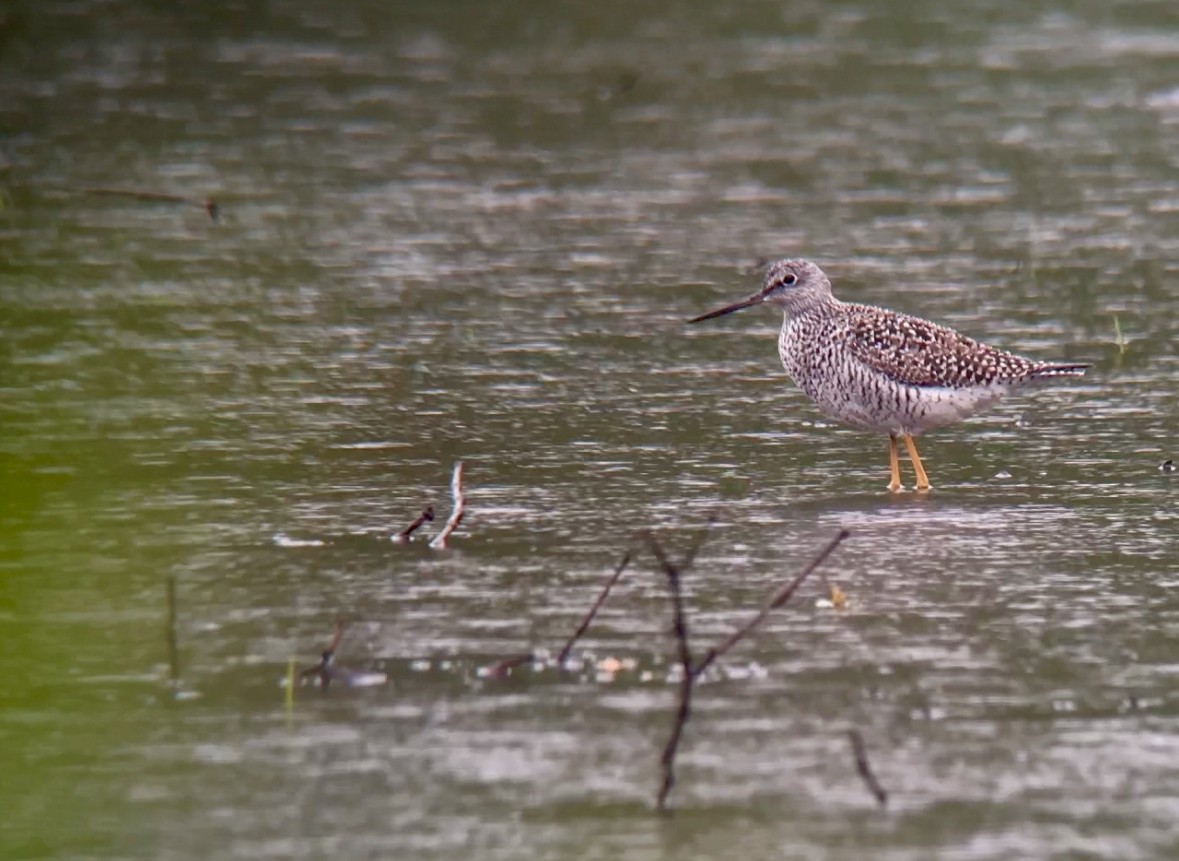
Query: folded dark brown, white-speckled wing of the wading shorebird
x=918, y=353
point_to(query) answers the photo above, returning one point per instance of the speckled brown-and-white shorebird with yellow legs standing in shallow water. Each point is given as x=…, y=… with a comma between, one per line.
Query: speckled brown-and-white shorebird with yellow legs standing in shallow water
x=882, y=371
